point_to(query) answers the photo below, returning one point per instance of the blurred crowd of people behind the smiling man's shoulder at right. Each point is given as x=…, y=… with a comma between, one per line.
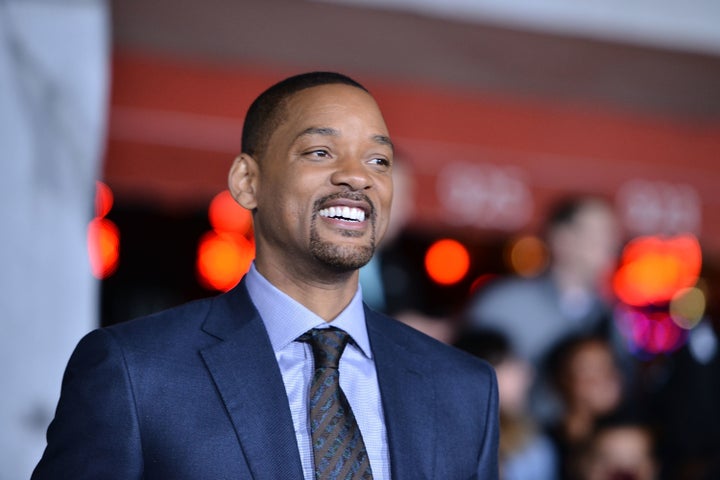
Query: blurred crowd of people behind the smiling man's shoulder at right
x=578, y=400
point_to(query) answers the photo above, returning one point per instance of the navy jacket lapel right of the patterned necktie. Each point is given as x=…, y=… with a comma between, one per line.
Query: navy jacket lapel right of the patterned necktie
x=408, y=399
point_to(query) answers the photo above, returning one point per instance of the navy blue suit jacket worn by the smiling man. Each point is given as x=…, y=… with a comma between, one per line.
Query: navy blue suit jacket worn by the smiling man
x=195, y=393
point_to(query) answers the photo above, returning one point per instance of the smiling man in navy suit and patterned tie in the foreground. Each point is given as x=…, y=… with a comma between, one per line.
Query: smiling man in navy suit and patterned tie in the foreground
x=225, y=387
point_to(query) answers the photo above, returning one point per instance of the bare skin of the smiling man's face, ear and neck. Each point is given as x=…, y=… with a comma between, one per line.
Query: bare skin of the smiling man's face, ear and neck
x=331, y=150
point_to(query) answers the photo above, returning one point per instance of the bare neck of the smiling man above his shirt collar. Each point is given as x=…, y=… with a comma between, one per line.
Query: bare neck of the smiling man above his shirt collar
x=322, y=292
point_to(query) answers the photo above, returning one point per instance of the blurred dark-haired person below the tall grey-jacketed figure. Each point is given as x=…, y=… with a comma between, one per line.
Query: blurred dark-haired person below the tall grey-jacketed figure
x=584, y=372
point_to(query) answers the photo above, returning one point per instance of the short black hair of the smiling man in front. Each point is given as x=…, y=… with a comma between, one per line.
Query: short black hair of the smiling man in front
x=267, y=111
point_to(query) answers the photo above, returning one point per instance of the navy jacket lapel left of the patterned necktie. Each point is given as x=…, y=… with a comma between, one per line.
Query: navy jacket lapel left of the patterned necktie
x=245, y=371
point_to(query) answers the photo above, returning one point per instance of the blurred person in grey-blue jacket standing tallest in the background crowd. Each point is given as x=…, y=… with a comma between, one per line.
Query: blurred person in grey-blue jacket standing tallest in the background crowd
x=583, y=238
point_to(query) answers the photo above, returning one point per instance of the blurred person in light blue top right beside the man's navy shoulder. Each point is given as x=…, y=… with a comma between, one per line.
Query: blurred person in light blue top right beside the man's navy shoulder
x=526, y=453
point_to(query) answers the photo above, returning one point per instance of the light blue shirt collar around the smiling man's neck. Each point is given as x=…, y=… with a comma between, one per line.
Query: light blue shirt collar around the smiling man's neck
x=286, y=319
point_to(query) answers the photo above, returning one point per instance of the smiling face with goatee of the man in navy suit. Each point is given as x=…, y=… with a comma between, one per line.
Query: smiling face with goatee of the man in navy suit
x=324, y=184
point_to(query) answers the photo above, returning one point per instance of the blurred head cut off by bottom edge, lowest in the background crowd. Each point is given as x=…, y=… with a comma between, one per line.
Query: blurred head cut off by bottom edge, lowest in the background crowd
x=620, y=450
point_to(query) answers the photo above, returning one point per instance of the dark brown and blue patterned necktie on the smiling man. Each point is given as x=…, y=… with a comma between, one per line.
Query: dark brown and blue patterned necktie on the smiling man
x=338, y=447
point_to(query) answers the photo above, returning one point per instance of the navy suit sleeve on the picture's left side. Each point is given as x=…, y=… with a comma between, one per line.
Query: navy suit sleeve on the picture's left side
x=95, y=431
